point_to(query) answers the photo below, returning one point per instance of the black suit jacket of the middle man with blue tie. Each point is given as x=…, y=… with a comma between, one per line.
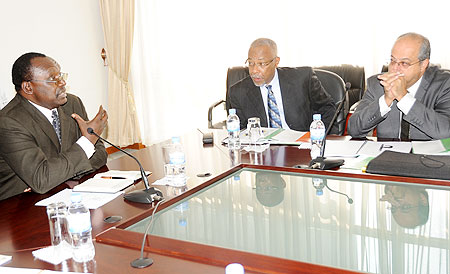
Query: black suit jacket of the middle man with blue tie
x=302, y=93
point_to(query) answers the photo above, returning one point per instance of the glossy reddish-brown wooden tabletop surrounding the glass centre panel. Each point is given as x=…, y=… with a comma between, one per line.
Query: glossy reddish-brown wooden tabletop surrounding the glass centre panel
x=25, y=226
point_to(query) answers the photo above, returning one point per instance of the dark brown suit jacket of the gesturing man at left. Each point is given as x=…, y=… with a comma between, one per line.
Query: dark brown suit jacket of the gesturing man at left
x=30, y=153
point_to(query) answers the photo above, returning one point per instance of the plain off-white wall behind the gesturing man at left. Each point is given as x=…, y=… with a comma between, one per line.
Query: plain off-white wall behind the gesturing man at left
x=69, y=31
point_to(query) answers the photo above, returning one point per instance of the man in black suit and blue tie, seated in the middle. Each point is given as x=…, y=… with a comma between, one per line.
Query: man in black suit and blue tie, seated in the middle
x=280, y=97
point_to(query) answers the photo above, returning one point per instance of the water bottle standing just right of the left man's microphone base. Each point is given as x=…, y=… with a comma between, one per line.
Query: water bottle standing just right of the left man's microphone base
x=177, y=162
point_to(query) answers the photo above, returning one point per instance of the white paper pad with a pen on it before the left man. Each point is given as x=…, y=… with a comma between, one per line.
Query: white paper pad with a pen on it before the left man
x=111, y=181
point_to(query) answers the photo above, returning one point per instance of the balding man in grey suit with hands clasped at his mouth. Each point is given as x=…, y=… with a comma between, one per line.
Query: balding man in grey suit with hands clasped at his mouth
x=409, y=102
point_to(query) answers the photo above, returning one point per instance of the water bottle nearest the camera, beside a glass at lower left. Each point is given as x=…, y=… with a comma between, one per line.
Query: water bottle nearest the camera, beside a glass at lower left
x=80, y=230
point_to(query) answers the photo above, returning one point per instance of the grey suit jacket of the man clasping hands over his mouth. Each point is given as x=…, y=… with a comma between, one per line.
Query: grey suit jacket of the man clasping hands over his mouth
x=429, y=116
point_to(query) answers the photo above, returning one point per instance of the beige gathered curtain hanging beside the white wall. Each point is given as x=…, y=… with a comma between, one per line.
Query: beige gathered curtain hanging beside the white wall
x=118, y=29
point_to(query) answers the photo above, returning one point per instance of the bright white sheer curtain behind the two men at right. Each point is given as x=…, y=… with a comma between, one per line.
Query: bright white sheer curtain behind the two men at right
x=182, y=49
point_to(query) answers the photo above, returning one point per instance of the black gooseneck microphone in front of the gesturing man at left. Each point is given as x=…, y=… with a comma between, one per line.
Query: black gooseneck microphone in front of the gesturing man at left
x=145, y=196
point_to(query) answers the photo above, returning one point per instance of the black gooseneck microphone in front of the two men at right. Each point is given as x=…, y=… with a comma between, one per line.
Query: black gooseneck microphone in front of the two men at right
x=321, y=162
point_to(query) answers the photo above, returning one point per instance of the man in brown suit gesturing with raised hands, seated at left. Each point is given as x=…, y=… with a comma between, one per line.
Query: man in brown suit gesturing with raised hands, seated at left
x=44, y=140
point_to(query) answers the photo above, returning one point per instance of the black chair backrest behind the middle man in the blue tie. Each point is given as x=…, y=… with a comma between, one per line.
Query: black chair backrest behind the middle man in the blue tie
x=331, y=82
